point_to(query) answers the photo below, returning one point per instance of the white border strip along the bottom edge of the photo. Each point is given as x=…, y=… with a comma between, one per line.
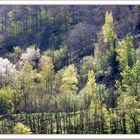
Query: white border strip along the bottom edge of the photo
x=71, y=137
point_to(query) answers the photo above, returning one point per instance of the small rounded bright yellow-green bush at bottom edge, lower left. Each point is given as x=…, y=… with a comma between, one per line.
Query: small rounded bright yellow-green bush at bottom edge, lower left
x=21, y=129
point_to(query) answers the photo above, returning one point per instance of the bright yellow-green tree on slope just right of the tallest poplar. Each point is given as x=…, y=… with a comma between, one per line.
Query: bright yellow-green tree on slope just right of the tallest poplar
x=125, y=53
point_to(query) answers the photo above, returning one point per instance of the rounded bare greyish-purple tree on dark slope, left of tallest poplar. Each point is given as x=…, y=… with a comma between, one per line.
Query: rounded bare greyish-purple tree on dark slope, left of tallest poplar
x=79, y=40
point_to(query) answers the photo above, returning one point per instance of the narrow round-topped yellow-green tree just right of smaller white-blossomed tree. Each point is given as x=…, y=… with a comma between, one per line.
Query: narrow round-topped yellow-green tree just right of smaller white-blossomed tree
x=46, y=69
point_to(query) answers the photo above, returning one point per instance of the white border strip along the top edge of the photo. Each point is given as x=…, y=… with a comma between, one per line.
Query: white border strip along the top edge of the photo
x=69, y=2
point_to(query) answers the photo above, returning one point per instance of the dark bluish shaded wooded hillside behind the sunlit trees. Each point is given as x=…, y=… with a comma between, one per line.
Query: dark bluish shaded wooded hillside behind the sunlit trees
x=53, y=27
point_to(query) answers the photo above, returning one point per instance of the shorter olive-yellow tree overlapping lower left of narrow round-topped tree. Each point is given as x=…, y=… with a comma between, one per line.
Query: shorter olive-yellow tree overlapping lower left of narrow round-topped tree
x=38, y=99
